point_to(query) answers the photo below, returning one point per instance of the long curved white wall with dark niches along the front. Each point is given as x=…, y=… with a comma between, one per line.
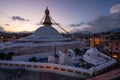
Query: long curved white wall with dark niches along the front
x=47, y=67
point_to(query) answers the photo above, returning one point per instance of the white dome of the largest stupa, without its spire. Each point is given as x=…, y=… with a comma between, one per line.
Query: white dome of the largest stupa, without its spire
x=47, y=31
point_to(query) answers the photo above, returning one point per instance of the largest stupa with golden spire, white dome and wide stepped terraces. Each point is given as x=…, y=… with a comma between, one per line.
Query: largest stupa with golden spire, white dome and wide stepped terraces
x=44, y=39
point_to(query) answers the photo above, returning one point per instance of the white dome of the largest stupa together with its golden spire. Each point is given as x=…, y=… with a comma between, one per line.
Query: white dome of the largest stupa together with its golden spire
x=47, y=30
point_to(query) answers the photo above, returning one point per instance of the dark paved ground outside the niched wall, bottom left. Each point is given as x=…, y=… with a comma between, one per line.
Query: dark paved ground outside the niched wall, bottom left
x=31, y=75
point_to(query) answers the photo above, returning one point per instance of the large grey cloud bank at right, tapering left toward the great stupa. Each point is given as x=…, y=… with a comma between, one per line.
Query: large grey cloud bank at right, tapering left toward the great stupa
x=101, y=23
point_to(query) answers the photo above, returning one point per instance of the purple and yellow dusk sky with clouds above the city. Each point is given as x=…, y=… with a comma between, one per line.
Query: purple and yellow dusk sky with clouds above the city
x=75, y=15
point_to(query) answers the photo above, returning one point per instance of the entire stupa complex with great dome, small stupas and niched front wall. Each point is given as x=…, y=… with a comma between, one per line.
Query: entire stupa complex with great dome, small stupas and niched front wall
x=46, y=40
